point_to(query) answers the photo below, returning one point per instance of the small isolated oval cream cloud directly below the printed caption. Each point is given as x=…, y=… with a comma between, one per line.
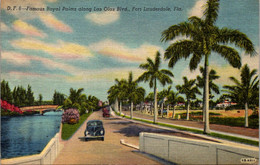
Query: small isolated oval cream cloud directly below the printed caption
x=103, y=18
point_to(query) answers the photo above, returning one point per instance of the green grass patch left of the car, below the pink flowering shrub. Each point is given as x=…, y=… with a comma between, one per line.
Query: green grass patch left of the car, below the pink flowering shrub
x=69, y=129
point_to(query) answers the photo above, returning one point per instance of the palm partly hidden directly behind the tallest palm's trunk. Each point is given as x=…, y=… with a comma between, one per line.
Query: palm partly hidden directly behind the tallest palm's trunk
x=212, y=86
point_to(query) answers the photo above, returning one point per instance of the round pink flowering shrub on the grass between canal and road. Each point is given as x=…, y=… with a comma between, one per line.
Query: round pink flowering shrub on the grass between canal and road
x=70, y=116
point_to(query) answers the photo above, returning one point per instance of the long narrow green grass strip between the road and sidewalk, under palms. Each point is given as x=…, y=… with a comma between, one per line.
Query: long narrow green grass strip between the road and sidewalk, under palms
x=216, y=135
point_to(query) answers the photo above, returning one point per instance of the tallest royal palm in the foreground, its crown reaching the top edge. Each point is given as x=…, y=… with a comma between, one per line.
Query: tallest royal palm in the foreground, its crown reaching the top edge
x=203, y=38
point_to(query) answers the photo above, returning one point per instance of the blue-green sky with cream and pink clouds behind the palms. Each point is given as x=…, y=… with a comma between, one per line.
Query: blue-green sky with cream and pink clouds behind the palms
x=81, y=49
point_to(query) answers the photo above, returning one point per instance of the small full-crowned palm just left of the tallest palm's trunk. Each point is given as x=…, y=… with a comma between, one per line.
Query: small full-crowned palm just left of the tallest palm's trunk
x=189, y=89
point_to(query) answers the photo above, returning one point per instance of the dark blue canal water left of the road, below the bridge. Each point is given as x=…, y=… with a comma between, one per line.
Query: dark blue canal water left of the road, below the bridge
x=28, y=135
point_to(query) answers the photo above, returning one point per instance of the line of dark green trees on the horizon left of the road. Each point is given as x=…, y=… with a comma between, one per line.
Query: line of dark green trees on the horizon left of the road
x=22, y=97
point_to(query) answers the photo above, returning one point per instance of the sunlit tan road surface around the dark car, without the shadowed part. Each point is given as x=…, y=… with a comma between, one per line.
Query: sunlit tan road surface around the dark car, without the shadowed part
x=109, y=151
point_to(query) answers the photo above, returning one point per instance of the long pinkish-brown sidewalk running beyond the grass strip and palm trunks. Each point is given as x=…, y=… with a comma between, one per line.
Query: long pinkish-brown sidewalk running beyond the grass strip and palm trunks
x=241, y=132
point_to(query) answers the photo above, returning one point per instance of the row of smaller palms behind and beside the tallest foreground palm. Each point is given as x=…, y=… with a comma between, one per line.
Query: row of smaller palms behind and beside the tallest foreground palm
x=243, y=91
